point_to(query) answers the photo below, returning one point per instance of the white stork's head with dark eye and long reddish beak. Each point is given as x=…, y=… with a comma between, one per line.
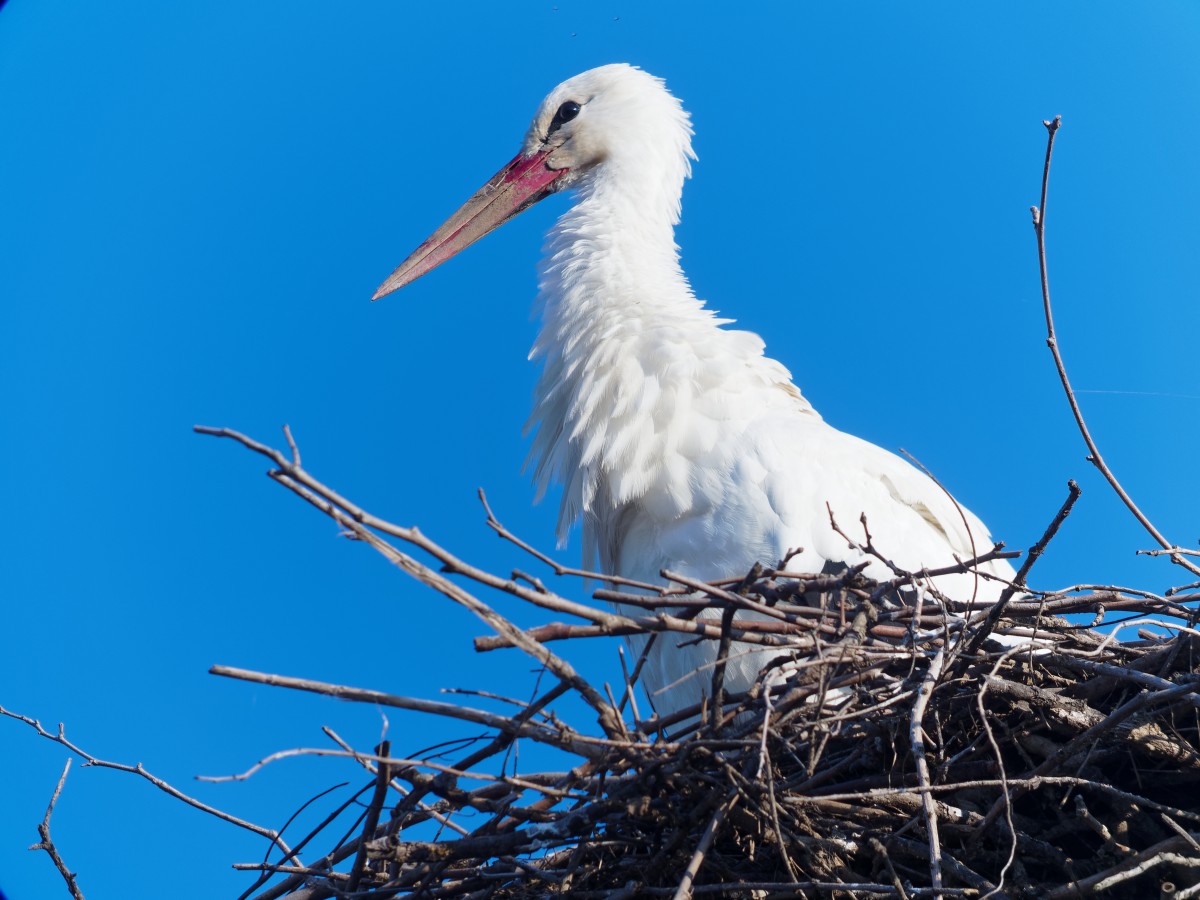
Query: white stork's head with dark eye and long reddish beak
x=608, y=121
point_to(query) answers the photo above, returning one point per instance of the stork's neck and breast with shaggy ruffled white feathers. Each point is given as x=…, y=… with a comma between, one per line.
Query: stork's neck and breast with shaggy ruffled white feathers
x=639, y=376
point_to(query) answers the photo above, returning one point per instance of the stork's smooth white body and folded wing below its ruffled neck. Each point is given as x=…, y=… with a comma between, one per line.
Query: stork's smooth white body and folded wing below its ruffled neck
x=776, y=495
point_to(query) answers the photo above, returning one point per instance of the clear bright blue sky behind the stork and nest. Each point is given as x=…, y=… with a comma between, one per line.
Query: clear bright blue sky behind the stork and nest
x=197, y=202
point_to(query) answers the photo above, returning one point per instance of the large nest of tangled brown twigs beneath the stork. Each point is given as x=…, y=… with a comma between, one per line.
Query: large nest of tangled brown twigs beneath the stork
x=892, y=749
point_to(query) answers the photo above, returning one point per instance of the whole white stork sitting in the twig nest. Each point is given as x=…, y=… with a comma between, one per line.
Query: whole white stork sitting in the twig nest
x=677, y=442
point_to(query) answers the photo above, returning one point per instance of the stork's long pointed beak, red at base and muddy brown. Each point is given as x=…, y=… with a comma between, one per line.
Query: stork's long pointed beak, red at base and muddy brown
x=512, y=190
